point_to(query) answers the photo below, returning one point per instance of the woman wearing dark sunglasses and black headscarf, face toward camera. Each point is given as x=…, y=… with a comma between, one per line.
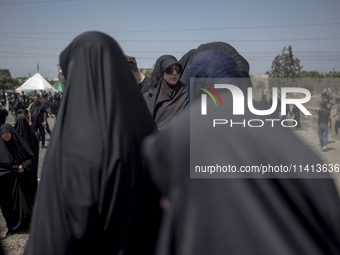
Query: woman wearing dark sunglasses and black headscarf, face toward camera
x=167, y=95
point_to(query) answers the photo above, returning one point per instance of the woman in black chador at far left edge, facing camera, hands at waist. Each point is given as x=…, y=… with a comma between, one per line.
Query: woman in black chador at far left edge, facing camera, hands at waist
x=18, y=180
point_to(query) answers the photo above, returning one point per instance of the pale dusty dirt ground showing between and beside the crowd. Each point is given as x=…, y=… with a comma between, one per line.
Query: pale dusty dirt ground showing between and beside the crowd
x=15, y=244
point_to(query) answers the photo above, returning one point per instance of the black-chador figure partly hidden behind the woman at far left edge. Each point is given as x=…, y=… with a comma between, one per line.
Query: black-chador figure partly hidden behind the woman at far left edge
x=26, y=131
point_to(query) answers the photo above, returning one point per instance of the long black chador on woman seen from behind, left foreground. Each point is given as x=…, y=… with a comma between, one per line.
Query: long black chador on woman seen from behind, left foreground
x=95, y=195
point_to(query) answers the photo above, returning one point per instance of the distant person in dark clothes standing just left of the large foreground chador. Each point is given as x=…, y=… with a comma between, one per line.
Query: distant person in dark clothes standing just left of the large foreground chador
x=38, y=118
